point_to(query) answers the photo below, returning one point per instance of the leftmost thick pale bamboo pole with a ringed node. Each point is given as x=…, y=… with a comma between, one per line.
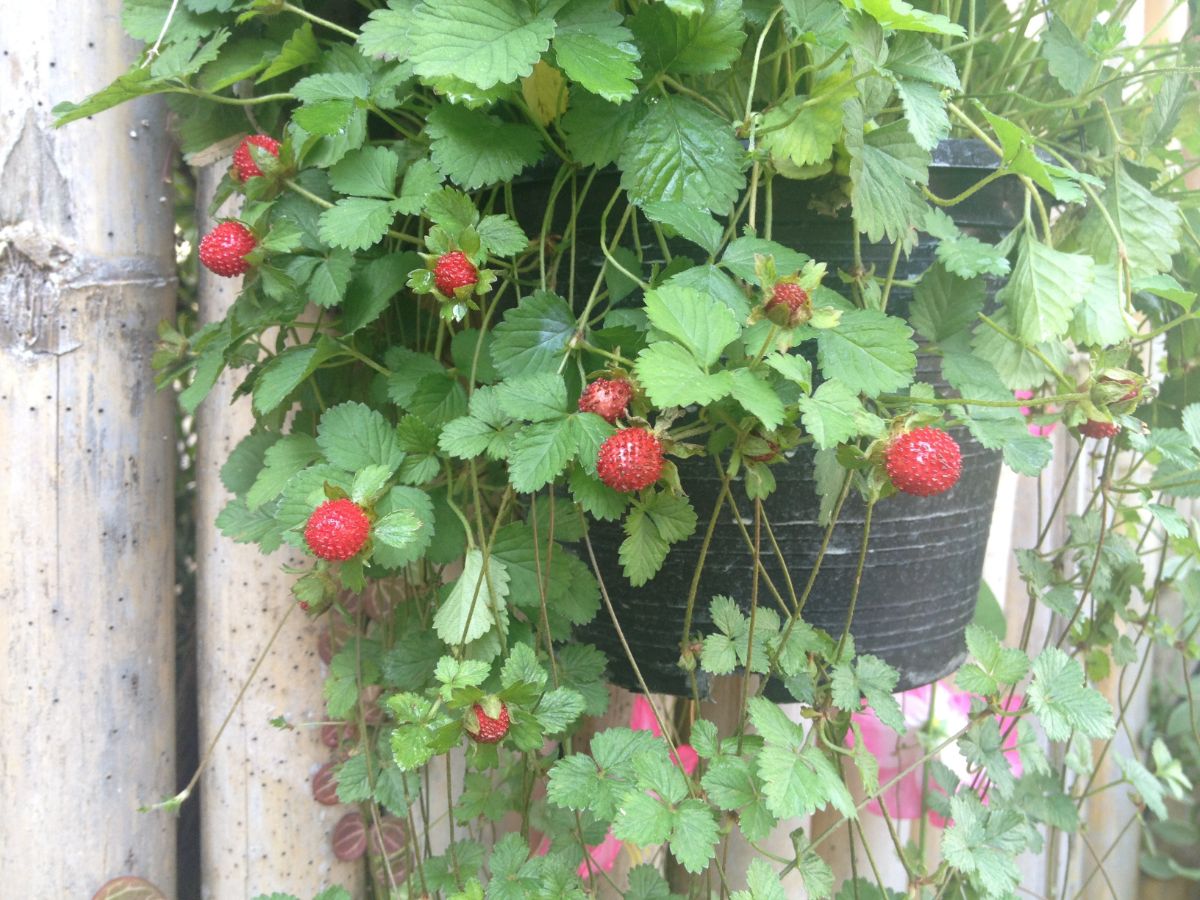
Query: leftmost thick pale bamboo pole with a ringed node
x=87, y=575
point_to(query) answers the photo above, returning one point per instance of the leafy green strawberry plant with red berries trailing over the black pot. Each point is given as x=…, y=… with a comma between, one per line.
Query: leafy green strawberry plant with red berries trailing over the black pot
x=521, y=278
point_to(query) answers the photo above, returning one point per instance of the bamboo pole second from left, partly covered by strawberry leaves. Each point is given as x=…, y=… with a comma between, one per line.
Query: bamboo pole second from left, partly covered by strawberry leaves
x=261, y=830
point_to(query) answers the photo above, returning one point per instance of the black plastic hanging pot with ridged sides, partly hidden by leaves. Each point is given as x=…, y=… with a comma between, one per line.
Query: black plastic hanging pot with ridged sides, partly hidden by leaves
x=926, y=556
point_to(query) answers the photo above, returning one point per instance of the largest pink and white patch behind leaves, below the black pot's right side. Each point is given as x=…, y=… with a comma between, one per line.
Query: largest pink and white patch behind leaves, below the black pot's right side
x=951, y=711
